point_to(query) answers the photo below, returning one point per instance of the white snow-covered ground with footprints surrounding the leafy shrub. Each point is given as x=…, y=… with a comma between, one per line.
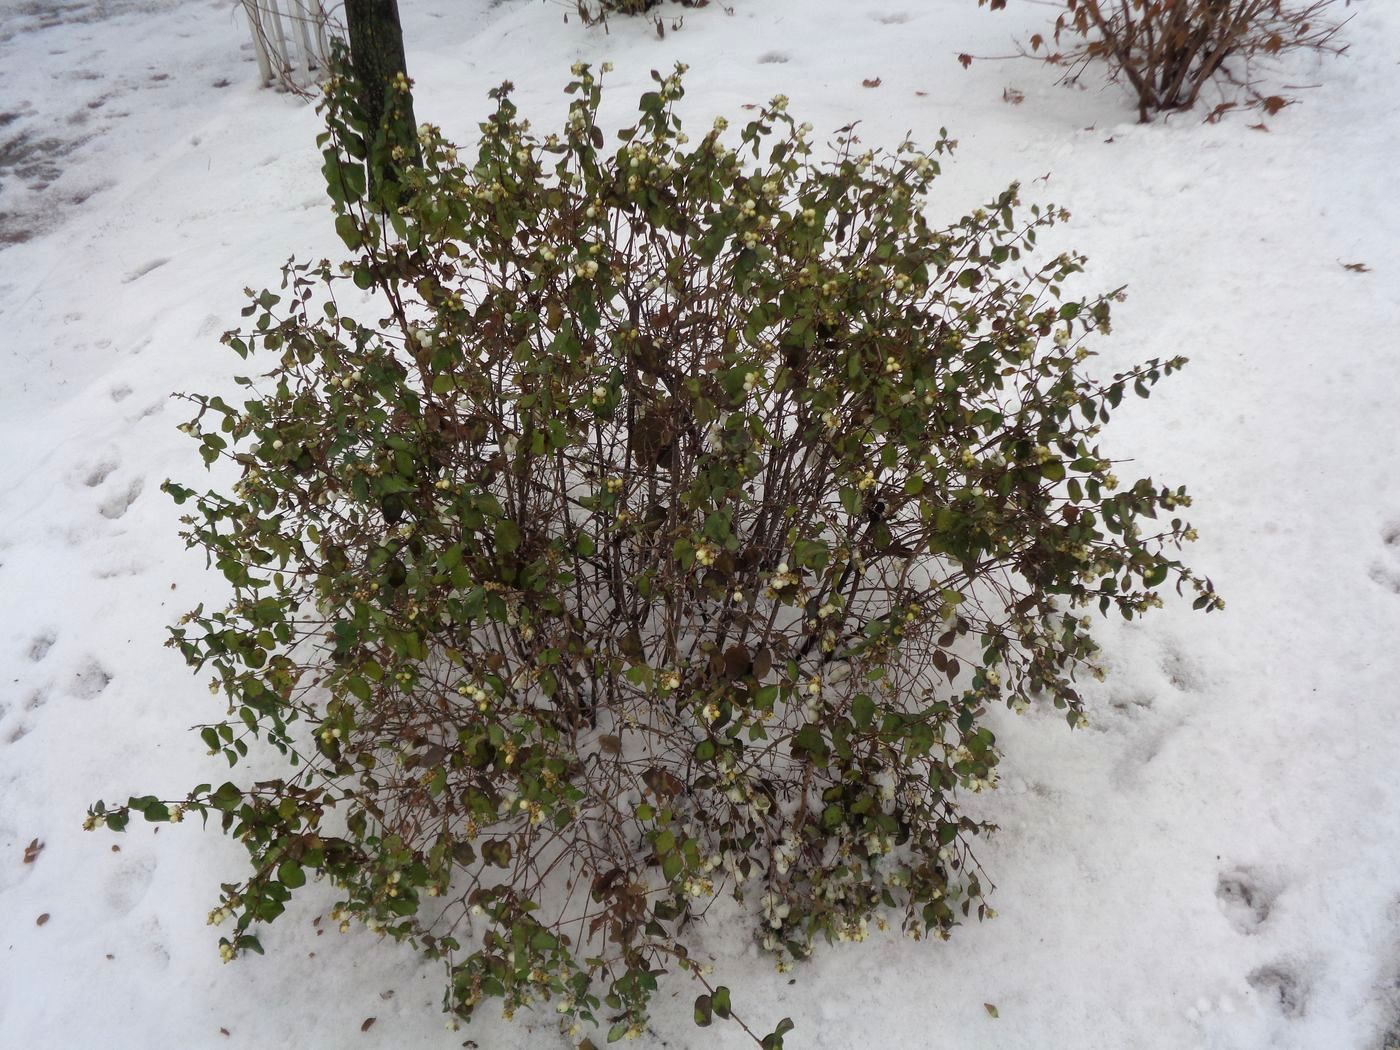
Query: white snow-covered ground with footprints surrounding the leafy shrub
x=1214, y=863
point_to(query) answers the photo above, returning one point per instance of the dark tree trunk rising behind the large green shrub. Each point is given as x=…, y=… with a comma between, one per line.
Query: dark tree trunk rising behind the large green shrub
x=379, y=64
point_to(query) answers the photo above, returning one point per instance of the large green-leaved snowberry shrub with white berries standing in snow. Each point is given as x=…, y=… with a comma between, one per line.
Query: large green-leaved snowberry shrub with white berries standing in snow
x=664, y=537
